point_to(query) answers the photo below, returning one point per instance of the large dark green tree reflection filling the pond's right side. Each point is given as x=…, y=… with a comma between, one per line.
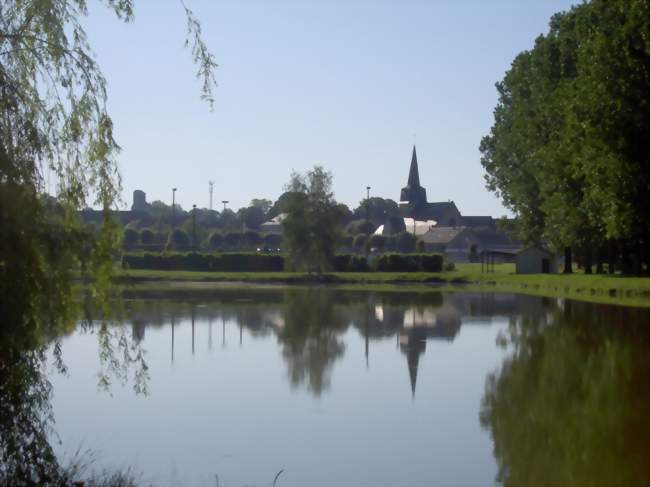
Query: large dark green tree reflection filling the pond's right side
x=569, y=406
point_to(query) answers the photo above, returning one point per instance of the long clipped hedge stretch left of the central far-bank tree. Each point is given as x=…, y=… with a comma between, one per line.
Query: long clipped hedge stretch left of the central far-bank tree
x=194, y=261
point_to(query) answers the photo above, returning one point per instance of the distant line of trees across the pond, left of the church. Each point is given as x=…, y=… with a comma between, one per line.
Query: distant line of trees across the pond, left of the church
x=313, y=215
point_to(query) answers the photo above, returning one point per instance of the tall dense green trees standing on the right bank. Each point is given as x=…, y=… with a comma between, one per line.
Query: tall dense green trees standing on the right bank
x=570, y=146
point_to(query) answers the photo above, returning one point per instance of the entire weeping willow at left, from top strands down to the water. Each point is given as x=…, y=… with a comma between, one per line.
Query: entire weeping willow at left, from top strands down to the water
x=54, y=118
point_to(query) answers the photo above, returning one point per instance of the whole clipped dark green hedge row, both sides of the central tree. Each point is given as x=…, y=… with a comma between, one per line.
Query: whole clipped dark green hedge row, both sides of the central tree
x=260, y=262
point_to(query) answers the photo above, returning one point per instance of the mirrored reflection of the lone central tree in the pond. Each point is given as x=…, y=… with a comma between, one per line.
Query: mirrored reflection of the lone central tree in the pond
x=309, y=337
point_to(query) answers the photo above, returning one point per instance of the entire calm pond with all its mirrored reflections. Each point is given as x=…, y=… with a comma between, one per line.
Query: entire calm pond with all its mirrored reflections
x=337, y=388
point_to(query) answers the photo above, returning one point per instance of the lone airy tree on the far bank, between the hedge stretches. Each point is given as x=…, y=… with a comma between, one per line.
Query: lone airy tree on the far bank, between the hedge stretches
x=312, y=226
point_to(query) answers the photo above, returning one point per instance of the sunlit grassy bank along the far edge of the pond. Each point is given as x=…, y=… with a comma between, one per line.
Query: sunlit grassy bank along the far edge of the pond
x=615, y=289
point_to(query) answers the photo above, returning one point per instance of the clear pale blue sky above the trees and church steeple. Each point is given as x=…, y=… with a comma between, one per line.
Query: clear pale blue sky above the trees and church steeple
x=346, y=84
